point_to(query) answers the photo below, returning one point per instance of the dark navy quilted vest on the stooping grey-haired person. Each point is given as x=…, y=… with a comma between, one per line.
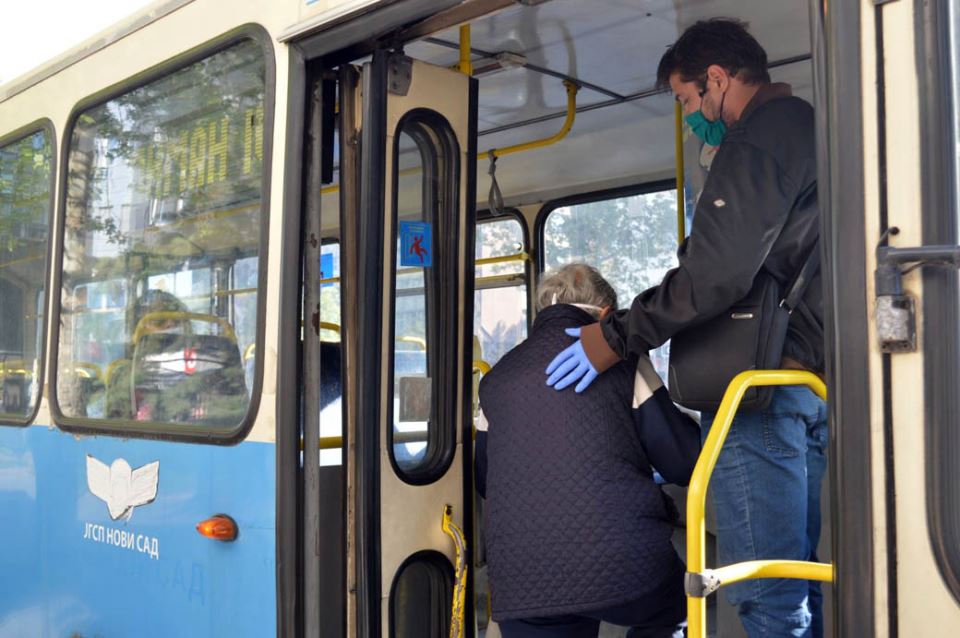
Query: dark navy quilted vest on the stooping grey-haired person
x=575, y=522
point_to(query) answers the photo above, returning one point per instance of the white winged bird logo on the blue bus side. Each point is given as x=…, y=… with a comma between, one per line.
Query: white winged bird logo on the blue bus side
x=121, y=487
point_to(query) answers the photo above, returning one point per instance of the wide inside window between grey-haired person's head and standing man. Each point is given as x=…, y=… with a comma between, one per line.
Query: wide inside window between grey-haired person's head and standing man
x=633, y=256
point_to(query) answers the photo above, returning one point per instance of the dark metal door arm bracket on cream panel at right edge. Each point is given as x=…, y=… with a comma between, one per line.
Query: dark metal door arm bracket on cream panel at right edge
x=895, y=310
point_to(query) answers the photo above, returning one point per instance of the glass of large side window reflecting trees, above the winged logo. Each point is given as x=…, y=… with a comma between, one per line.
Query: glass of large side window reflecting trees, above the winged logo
x=160, y=267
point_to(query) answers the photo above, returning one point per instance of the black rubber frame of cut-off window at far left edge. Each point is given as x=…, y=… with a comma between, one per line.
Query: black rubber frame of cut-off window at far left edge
x=46, y=125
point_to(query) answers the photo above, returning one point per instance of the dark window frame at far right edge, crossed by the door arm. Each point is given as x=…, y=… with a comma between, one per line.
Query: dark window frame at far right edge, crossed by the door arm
x=941, y=301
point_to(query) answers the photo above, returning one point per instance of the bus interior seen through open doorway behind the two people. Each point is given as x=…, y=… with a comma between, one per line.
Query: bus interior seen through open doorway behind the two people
x=575, y=161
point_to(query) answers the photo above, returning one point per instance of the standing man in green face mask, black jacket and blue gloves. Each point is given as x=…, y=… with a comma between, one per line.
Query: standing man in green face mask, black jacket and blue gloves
x=758, y=209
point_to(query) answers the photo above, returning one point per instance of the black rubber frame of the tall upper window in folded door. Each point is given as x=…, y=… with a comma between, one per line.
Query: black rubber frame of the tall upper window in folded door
x=441, y=437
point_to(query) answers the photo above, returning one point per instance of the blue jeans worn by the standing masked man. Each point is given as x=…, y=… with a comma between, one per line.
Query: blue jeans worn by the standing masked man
x=766, y=490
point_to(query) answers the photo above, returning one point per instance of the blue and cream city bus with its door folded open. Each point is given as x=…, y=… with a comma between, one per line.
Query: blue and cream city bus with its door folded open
x=254, y=258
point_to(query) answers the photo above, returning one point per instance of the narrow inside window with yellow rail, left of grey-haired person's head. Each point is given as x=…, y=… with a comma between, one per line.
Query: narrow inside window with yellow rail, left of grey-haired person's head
x=500, y=292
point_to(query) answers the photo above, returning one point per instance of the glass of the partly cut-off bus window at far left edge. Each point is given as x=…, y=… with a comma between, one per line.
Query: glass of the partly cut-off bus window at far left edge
x=25, y=192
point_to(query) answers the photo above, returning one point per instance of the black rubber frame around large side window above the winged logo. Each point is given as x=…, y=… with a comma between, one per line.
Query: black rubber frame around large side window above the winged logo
x=126, y=428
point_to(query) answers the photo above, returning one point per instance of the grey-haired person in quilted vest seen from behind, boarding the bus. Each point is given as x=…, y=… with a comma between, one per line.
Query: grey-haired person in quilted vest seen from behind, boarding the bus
x=577, y=530
